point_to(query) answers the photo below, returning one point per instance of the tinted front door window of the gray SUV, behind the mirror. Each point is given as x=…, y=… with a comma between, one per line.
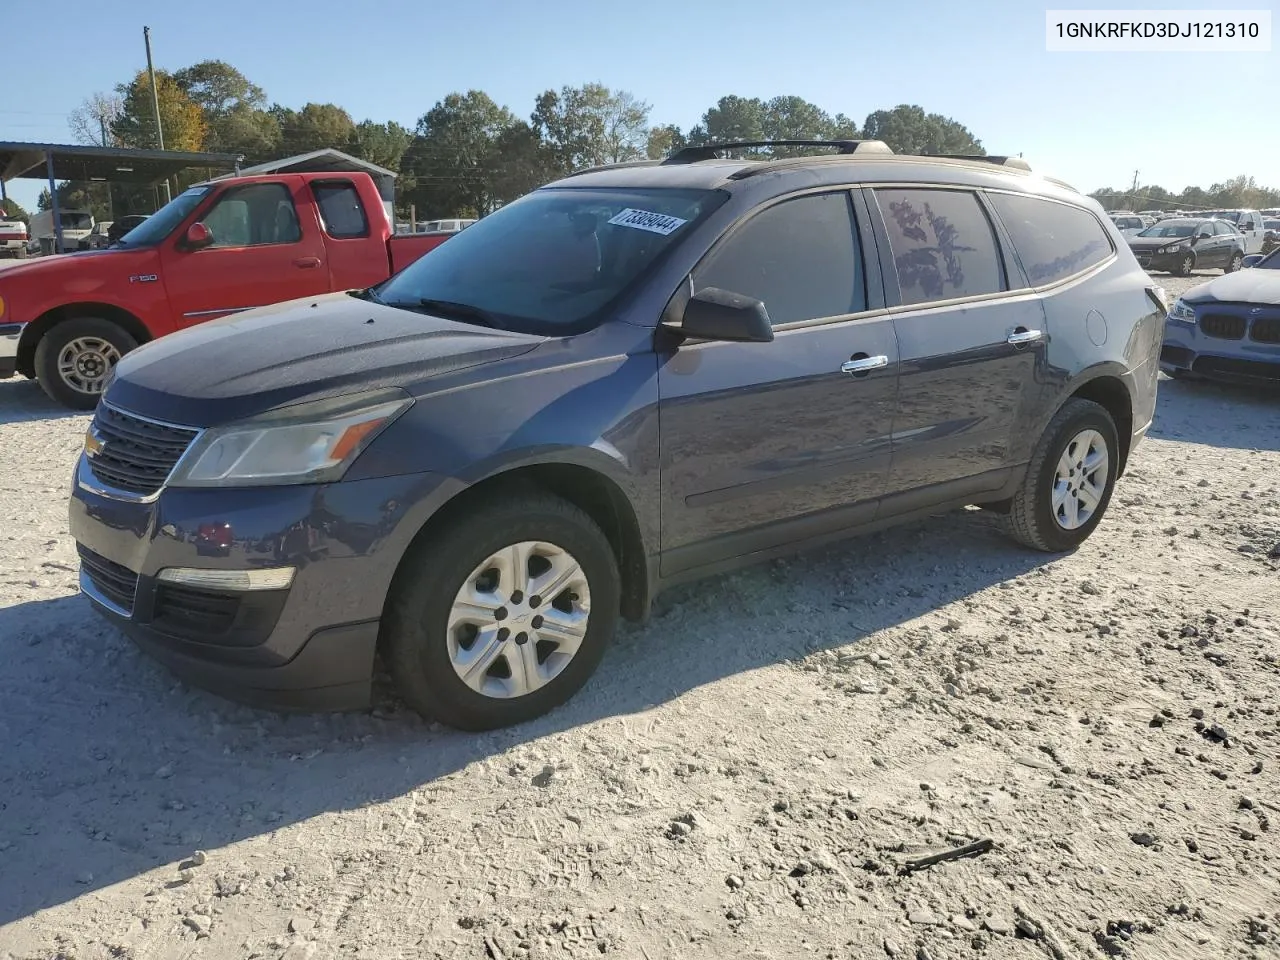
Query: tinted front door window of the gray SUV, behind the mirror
x=801, y=258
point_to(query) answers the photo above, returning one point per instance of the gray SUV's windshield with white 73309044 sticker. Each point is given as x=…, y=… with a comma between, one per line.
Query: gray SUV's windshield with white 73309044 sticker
x=555, y=260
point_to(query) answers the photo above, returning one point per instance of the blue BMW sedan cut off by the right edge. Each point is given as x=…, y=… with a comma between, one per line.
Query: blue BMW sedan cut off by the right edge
x=1228, y=330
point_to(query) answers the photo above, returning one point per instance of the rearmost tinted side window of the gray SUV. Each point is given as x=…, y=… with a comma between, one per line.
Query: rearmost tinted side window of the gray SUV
x=1053, y=240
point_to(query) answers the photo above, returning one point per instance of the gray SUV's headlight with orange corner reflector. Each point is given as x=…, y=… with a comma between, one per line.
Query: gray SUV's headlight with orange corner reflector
x=312, y=444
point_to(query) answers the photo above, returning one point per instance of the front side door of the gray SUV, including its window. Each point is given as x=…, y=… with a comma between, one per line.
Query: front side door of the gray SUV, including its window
x=771, y=444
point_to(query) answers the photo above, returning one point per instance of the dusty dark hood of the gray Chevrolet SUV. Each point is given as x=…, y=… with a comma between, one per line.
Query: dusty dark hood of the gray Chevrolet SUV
x=301, y=350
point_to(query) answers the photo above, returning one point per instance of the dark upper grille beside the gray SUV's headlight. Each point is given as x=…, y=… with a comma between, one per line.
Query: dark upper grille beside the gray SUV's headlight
x=136, y=455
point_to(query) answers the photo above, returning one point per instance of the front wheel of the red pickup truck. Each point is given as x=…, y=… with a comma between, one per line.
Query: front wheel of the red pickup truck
x=75, y=358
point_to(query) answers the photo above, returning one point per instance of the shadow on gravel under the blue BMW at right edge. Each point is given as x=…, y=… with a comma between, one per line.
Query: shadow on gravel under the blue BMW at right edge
x=1218, y=415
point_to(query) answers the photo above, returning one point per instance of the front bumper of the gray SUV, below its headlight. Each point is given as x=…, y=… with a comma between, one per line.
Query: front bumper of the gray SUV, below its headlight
x=309, y=647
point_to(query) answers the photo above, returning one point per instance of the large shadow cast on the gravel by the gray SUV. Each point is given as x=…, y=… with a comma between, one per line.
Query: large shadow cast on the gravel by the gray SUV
x=109, y=767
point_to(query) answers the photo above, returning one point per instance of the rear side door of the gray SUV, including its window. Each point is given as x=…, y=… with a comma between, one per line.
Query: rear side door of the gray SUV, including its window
x=972, y=345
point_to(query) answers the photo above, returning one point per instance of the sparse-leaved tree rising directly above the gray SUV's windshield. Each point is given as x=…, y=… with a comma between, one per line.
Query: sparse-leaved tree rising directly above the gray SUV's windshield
x=591, y=125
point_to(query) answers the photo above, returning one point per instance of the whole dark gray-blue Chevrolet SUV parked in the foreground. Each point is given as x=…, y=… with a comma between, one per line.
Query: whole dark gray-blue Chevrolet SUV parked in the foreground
x=633, y=377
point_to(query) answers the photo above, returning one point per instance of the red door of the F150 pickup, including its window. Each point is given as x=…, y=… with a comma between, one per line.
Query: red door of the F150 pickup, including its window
x=267, y=249
